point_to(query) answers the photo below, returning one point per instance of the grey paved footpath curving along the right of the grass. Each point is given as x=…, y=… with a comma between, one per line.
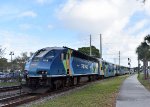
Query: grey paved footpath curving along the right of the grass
x=133, y=94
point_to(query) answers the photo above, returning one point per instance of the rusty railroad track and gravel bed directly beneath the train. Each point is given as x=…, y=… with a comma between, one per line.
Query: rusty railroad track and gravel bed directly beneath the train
x=17, y=100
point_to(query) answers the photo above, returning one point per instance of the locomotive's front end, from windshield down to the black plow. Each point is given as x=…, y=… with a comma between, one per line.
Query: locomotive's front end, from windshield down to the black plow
x=38, y=68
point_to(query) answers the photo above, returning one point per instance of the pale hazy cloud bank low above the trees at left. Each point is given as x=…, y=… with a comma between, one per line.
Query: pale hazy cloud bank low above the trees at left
x=19, y=42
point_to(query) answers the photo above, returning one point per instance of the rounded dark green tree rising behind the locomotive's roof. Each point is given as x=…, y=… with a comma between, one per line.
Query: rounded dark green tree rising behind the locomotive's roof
x=86, y=50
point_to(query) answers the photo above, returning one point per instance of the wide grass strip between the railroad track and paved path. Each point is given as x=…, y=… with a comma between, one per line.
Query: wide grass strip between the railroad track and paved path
x=100, y=94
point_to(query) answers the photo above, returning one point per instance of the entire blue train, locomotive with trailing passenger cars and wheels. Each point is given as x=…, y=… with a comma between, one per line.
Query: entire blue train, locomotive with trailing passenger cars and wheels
x=55, y=67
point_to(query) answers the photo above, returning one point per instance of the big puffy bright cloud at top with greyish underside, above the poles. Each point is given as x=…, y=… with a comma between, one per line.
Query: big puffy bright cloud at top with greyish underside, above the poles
x=96, y=16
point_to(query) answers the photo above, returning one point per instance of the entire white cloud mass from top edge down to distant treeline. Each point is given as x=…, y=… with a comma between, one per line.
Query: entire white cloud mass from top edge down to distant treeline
x=109, y=17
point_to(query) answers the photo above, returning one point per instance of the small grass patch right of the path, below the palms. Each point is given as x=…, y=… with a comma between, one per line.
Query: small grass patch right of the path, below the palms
x=144, y=82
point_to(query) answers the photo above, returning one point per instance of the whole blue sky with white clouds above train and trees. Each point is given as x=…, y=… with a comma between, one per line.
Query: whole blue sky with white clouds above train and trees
x=29, y=25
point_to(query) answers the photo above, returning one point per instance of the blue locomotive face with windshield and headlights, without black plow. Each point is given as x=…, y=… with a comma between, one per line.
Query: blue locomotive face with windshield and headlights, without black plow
x=39, y=64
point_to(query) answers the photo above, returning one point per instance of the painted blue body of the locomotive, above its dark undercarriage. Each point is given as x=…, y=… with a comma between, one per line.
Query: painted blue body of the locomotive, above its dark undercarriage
x=50, y=60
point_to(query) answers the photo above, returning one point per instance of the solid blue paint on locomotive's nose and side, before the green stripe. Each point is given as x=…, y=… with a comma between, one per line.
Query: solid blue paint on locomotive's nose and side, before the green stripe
x=49, y=62
